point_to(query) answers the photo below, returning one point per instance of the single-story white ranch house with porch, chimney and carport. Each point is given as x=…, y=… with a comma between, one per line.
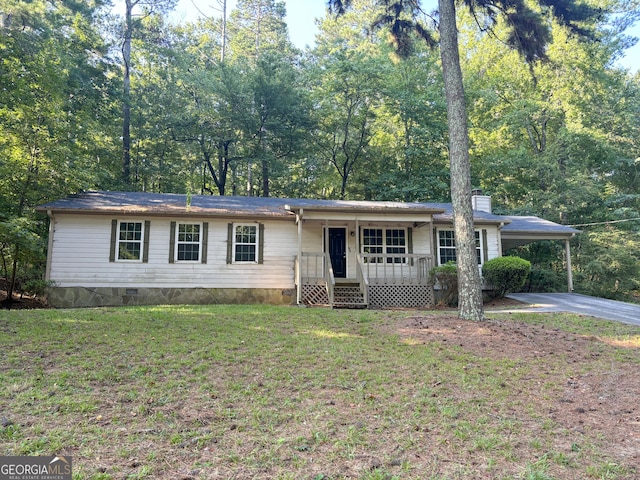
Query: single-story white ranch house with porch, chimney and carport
x=125, y=248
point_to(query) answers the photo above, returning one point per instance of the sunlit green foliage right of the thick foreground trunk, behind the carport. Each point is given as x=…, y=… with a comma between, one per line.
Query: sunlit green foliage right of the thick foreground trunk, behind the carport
x=559, y=140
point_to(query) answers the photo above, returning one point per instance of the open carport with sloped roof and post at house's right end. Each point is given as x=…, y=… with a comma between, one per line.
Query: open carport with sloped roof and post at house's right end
x=524, y=230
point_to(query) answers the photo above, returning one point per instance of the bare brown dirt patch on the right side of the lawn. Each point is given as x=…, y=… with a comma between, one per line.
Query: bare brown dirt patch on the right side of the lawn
x=603, y=403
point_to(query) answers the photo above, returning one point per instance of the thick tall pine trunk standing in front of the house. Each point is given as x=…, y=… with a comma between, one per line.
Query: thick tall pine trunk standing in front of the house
x=470, y=306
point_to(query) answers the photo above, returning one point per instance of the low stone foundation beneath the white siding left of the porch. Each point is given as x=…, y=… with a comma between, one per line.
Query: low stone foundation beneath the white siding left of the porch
x=76, y=297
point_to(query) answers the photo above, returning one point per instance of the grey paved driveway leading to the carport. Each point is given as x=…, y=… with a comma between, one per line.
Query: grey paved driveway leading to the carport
x=582, y=304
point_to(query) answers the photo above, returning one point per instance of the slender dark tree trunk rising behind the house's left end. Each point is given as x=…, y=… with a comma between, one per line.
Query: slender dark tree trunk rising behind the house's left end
x=126, y=95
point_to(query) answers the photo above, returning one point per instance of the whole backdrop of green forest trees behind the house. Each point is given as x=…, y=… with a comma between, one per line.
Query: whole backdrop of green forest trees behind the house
x=98, y=97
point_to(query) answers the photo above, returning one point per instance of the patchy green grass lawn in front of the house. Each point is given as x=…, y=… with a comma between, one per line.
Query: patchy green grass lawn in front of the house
x=277, y=392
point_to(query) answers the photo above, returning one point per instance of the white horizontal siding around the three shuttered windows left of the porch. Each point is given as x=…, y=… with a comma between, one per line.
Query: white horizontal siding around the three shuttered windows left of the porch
x=81, y=245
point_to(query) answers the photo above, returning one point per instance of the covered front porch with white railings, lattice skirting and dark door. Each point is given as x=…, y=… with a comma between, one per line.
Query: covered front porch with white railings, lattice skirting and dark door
x=364, y=254
